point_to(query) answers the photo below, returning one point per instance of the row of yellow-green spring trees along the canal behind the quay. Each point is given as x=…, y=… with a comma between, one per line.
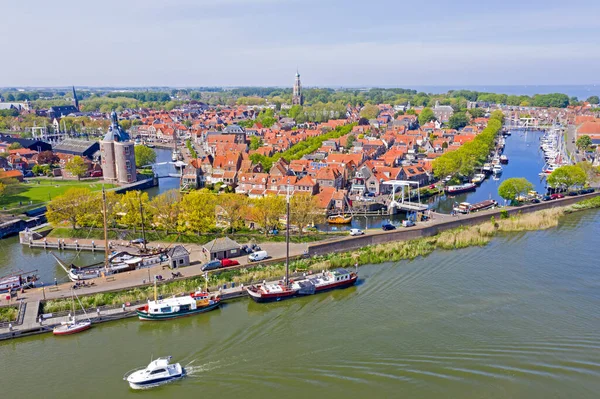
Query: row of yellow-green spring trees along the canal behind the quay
x=196, y=212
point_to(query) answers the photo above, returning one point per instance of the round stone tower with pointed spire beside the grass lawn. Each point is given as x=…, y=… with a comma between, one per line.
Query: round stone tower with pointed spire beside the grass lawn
x=117, y=153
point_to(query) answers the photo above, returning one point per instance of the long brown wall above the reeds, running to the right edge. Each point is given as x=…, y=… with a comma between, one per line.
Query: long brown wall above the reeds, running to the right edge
x=410, y=233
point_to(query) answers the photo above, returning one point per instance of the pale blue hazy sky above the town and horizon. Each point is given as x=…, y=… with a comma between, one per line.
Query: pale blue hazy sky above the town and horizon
x=331, y=42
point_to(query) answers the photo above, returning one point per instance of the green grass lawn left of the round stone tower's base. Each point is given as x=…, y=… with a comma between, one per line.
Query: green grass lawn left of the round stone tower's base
x=40, y=191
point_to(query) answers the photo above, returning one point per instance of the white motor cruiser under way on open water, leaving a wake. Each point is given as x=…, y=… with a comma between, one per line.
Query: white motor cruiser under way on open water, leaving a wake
x=158, y=372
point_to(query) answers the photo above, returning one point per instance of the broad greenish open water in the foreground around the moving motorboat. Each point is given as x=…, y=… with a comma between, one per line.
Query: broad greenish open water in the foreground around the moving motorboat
x=518, y=318
